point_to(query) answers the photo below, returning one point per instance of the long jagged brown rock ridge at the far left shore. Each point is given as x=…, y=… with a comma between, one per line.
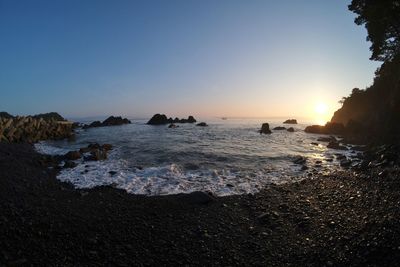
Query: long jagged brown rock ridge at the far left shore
x=31, y=130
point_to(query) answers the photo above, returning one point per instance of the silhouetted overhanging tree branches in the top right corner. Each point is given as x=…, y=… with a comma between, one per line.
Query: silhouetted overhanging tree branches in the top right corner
x=382, y=21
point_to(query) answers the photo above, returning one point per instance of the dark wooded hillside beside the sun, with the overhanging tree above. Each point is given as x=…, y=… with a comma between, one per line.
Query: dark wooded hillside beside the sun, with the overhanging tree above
x=377, y=108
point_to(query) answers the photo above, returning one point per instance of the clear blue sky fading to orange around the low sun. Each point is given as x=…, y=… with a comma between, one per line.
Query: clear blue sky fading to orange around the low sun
x=229, y=58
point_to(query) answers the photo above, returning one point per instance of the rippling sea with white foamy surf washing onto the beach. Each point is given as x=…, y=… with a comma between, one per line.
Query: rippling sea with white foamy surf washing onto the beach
x=227, y=157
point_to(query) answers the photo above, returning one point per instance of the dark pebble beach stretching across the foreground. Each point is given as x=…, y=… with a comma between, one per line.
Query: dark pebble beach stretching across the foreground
x=344, y=219
